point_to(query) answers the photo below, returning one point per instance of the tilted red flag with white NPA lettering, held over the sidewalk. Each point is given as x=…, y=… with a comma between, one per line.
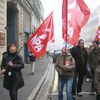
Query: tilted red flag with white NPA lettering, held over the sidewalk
x=38, y=41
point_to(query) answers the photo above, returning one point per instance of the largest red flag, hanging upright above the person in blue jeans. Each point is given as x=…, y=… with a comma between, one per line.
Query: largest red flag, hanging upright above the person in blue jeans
x=75, y=14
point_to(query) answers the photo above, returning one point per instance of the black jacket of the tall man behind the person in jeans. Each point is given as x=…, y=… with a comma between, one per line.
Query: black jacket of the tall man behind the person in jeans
x=80, y=55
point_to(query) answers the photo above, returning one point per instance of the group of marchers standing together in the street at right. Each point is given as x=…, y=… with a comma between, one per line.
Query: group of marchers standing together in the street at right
x=71, y=66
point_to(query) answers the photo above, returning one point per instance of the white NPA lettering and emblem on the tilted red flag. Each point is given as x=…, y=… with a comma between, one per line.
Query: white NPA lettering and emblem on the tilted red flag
x=36, y=42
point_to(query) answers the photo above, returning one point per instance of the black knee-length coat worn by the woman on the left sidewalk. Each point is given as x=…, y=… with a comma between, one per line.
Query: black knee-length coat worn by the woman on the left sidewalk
x=13, y=76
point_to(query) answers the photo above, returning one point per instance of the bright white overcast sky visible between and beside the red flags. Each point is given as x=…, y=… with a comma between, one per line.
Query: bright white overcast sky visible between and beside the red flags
x=56, y=5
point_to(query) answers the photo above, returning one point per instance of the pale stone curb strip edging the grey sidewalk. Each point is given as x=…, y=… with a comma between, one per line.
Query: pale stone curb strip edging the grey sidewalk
x=35, y=91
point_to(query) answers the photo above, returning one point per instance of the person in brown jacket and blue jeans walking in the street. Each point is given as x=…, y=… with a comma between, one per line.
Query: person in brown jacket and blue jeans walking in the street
x=65, y=67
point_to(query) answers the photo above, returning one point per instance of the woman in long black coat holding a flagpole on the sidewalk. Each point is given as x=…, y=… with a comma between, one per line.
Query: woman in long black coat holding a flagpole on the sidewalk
x=12, y=63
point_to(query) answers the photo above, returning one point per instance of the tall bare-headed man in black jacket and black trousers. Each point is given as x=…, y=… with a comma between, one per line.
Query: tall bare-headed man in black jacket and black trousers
x=80, y=55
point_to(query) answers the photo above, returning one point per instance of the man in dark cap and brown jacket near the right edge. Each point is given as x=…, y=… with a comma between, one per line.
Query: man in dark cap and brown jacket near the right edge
x=93, y=58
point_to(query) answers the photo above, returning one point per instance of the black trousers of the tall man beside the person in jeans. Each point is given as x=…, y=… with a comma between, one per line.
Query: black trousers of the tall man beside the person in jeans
x=77, y=81
